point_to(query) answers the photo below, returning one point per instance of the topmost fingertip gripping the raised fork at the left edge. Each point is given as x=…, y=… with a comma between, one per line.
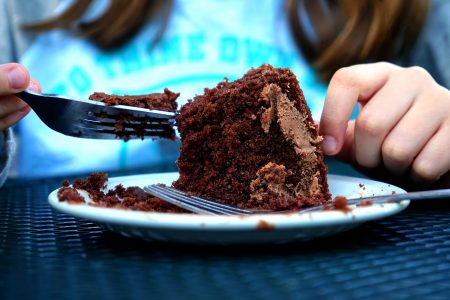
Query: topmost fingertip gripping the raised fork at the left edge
x=13, y=78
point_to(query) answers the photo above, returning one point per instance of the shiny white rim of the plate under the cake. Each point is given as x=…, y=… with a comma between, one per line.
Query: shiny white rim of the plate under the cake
x=179, y=221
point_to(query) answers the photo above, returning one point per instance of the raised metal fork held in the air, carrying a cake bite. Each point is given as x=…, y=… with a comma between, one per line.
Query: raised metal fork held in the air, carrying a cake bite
x=92, y=119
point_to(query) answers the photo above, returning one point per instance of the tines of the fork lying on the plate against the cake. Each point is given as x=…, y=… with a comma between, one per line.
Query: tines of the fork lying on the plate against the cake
x=193, y=203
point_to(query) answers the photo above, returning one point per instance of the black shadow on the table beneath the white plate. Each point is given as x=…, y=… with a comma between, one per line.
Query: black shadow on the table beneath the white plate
x=366, y=236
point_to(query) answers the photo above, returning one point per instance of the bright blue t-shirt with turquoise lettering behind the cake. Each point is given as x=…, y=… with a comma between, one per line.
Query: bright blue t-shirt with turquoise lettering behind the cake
x=204, y=42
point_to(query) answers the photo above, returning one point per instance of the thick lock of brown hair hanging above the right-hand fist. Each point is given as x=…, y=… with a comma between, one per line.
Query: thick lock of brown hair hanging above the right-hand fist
x=351, y=31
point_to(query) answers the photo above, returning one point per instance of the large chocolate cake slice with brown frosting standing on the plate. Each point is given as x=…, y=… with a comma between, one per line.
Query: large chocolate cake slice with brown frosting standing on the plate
x=252, y=143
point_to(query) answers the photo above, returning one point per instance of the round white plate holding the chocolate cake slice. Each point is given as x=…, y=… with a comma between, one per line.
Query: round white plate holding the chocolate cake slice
x=267, y=228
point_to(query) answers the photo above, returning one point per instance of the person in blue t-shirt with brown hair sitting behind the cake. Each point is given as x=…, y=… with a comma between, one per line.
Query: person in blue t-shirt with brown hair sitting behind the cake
x=401, y=130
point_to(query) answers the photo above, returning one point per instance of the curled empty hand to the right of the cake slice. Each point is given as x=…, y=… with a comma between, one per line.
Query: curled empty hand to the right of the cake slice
x=403, y=126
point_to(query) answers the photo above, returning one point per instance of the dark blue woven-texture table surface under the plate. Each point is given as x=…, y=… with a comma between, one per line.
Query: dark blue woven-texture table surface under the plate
x=47, y=255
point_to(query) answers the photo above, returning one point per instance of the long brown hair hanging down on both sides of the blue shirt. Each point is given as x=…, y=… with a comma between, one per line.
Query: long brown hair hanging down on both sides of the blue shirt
x=346, y=32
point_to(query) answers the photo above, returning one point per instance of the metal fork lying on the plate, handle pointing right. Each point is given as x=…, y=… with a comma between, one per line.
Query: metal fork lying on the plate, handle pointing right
x=203, y=206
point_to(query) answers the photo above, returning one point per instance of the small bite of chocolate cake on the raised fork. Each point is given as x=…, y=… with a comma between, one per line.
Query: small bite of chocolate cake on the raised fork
x=127, y=126
